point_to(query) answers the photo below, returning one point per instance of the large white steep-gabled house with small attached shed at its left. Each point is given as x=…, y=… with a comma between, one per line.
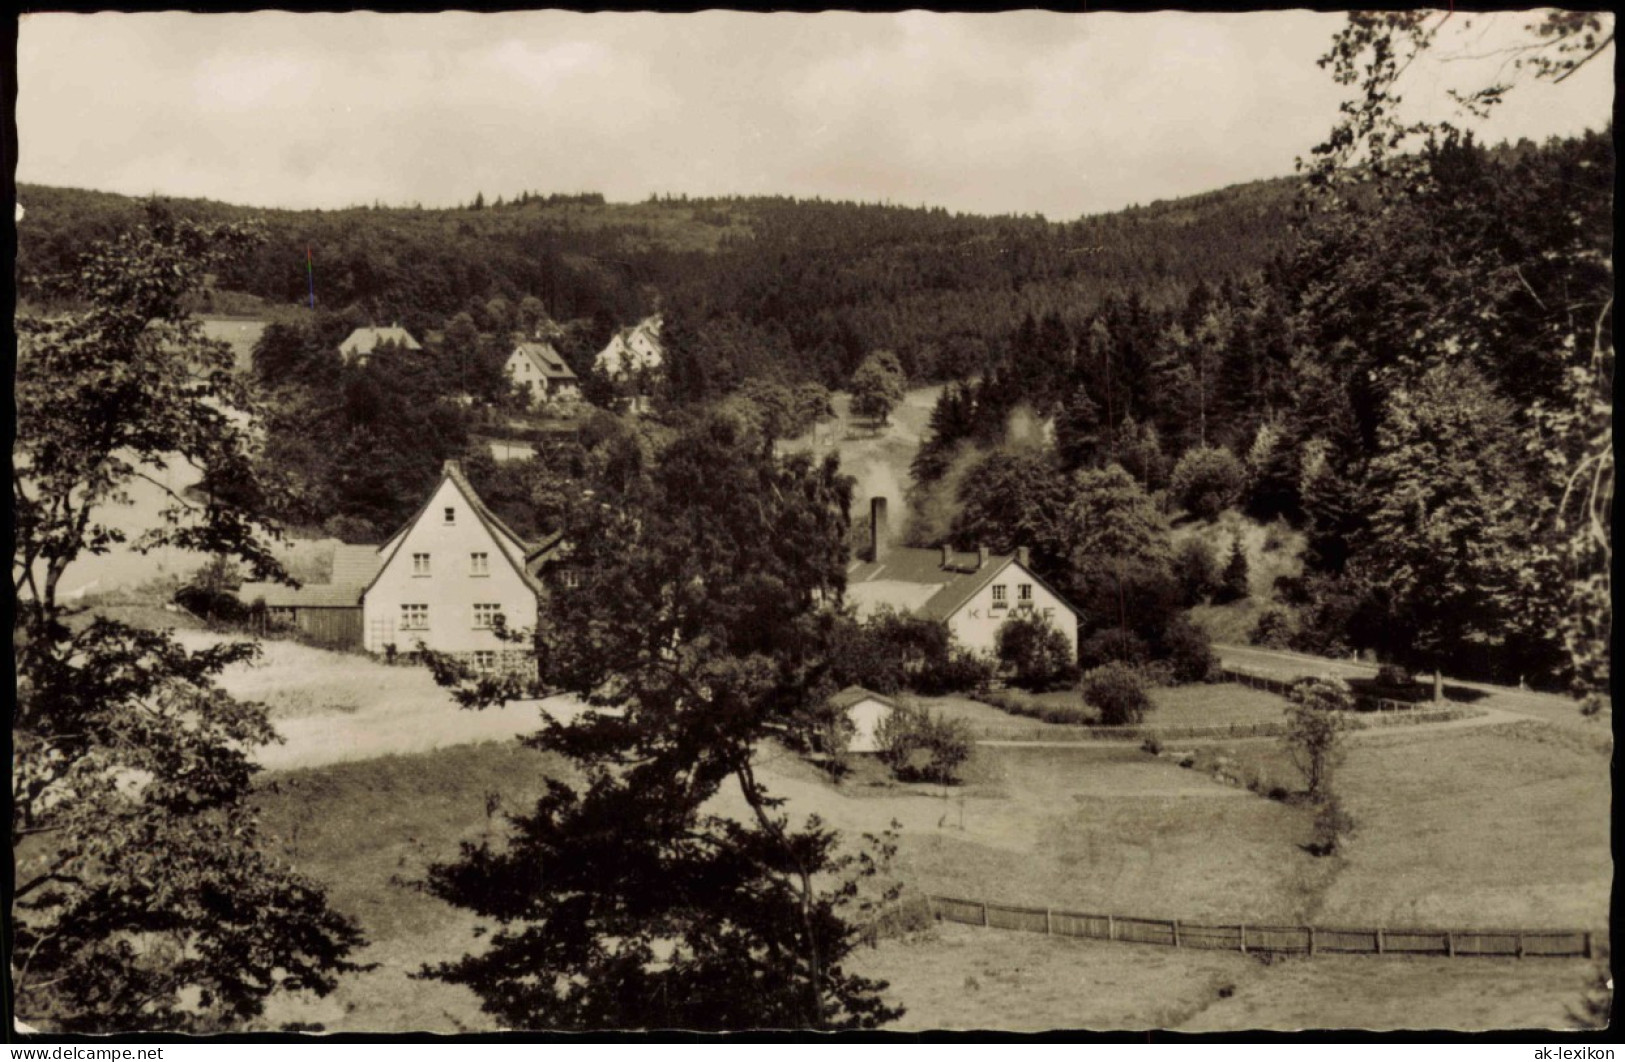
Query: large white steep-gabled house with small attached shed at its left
x=444, y=581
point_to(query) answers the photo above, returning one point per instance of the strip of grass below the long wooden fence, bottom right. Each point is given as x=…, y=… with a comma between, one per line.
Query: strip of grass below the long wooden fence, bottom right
x=966, y=978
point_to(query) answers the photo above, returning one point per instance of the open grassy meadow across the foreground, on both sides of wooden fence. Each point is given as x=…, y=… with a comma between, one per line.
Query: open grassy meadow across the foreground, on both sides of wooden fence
x=1514, y=821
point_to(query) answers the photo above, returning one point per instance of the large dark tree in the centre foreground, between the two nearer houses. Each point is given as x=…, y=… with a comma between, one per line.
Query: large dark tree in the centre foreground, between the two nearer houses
x=664, y=887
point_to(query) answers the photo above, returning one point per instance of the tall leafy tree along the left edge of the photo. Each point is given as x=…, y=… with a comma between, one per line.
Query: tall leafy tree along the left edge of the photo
x=144, y=899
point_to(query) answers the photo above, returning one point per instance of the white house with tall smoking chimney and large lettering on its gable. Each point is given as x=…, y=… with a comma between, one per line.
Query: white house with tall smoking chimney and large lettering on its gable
x=973, y=594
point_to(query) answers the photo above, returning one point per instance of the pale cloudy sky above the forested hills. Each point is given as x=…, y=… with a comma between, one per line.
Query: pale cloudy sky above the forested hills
x=1015, y=113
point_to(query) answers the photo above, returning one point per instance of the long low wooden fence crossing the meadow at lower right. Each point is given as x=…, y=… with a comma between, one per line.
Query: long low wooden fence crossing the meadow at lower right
x=1275, y=939
